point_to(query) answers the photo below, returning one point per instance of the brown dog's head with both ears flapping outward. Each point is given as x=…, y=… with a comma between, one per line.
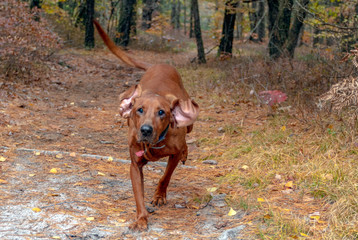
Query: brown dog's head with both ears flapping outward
x=152, y=113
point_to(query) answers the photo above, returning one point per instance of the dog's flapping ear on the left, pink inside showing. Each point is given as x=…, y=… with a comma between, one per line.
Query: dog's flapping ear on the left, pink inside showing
x=126, y=100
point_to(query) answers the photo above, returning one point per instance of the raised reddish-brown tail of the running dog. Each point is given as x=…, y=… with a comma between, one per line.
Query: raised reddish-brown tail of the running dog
x=117, y=50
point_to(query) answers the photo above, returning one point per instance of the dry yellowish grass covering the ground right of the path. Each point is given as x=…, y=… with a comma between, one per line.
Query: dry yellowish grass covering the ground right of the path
x=301, y=162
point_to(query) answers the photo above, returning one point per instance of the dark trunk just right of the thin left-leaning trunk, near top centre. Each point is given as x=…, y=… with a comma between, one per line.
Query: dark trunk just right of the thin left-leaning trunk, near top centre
x=228, y=28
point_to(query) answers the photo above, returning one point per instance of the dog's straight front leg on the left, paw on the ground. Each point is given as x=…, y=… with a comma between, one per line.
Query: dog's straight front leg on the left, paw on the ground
x=136, y=173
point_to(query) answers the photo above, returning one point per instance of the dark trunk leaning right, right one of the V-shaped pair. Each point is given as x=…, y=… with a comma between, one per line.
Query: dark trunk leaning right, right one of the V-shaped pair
x=295, y=29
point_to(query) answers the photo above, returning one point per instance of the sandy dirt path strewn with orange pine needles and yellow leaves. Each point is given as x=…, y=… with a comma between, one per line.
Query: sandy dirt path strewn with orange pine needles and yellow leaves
x=72, y=195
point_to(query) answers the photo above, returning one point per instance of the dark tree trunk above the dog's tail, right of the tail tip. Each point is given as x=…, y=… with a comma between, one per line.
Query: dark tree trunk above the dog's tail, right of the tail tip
x=125, y=22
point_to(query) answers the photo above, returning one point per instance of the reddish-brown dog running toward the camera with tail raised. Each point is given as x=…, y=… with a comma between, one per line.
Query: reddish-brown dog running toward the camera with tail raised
x=160, y=114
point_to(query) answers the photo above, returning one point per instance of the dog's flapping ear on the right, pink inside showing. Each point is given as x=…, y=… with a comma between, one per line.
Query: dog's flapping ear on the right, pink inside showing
x=184, y=112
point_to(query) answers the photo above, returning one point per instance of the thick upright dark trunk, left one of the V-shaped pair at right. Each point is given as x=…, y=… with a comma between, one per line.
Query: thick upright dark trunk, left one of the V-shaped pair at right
x=280, y=19
